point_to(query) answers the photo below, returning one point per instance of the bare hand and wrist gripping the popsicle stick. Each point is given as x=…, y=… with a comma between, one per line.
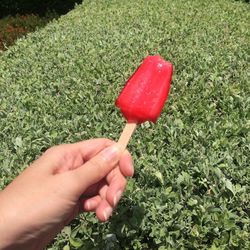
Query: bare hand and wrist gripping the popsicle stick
x=65, y=180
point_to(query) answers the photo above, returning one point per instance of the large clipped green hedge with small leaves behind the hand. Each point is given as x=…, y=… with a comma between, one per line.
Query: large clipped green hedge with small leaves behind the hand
x=191, y=186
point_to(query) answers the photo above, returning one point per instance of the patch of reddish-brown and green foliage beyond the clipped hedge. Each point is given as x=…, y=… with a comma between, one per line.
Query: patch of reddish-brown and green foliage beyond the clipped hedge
x=13, y=27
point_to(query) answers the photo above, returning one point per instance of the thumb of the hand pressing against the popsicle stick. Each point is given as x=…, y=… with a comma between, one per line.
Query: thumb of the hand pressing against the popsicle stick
x=96, y=168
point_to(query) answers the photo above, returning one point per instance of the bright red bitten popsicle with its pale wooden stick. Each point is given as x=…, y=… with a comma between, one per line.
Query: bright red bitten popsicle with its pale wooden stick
x=143, y=97
